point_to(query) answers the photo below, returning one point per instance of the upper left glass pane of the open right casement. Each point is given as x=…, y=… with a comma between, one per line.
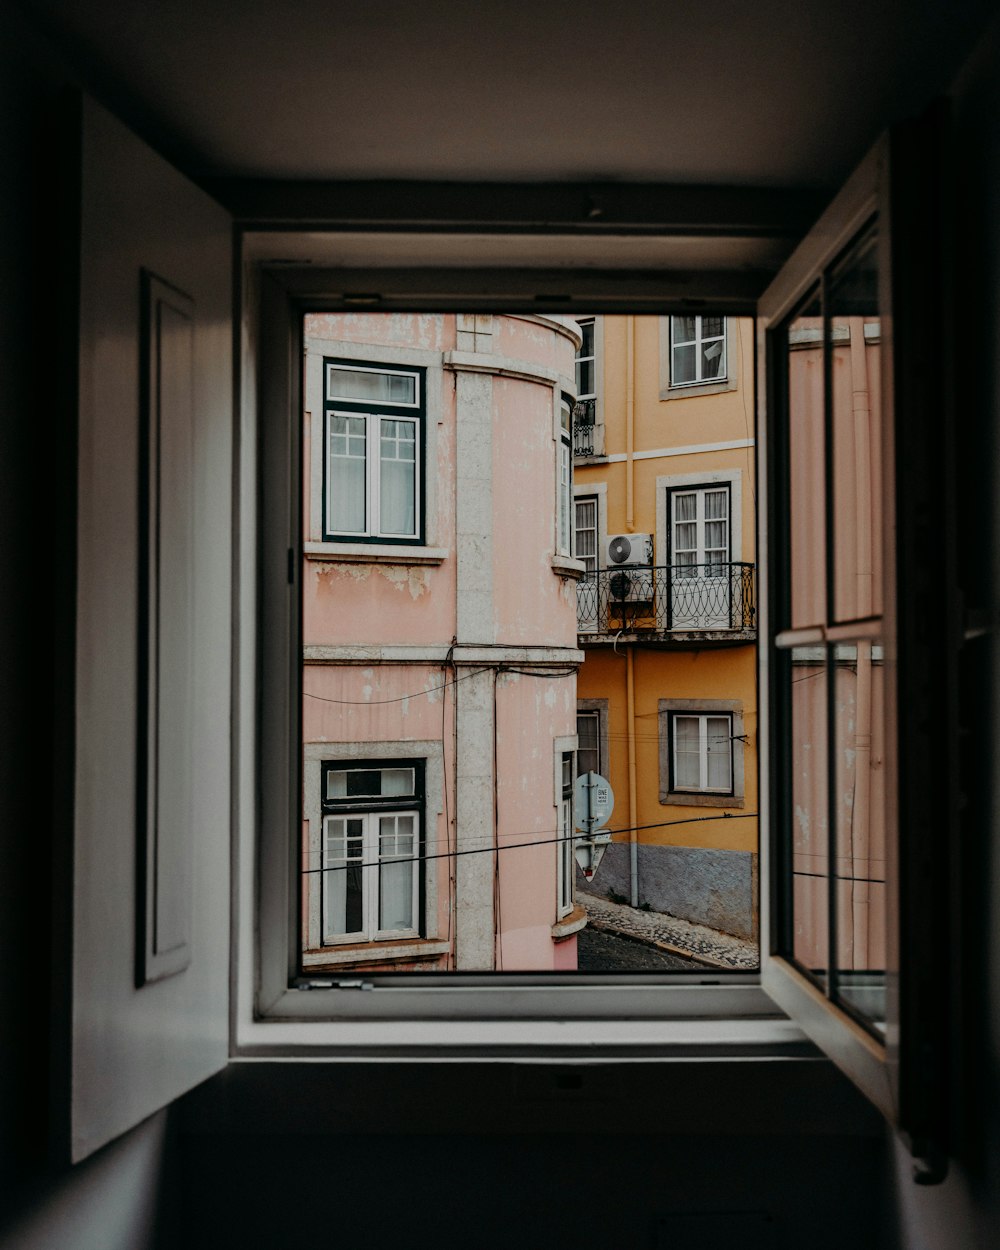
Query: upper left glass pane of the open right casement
x=807, y=458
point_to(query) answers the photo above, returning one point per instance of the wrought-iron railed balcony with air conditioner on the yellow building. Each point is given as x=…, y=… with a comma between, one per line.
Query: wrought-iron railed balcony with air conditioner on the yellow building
x=676, y=604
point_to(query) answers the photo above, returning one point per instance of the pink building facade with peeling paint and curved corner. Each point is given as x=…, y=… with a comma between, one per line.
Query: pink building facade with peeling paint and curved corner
x=439, y=634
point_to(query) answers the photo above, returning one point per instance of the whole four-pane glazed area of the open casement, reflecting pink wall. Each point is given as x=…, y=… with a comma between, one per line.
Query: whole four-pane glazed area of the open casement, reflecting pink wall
x=832, y=637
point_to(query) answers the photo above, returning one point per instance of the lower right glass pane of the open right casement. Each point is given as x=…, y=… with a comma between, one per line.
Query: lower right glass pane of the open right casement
x=861, y=829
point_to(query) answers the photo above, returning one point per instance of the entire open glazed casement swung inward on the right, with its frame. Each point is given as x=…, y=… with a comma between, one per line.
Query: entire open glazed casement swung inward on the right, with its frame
x=857, y=799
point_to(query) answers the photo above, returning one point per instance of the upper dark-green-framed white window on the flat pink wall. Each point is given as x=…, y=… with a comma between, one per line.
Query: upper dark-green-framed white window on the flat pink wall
x=373, y=462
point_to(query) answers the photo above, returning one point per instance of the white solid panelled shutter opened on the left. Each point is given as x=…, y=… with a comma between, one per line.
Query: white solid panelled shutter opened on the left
x=146, y=958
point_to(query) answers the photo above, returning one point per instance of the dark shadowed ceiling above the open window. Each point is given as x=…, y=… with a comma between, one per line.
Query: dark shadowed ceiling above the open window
x=772, y=93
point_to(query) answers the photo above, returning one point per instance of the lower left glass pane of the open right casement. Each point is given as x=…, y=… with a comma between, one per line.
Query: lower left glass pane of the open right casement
x=809, y=812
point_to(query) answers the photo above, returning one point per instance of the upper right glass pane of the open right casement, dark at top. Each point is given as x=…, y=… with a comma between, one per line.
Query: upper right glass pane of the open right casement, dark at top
x=856, y=348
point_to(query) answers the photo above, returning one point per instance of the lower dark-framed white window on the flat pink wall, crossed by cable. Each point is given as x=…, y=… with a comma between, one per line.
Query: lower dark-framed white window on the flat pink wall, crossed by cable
x=372, y=851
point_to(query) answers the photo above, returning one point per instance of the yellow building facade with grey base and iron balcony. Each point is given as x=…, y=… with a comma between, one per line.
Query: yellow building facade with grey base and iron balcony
x=667, y=611
